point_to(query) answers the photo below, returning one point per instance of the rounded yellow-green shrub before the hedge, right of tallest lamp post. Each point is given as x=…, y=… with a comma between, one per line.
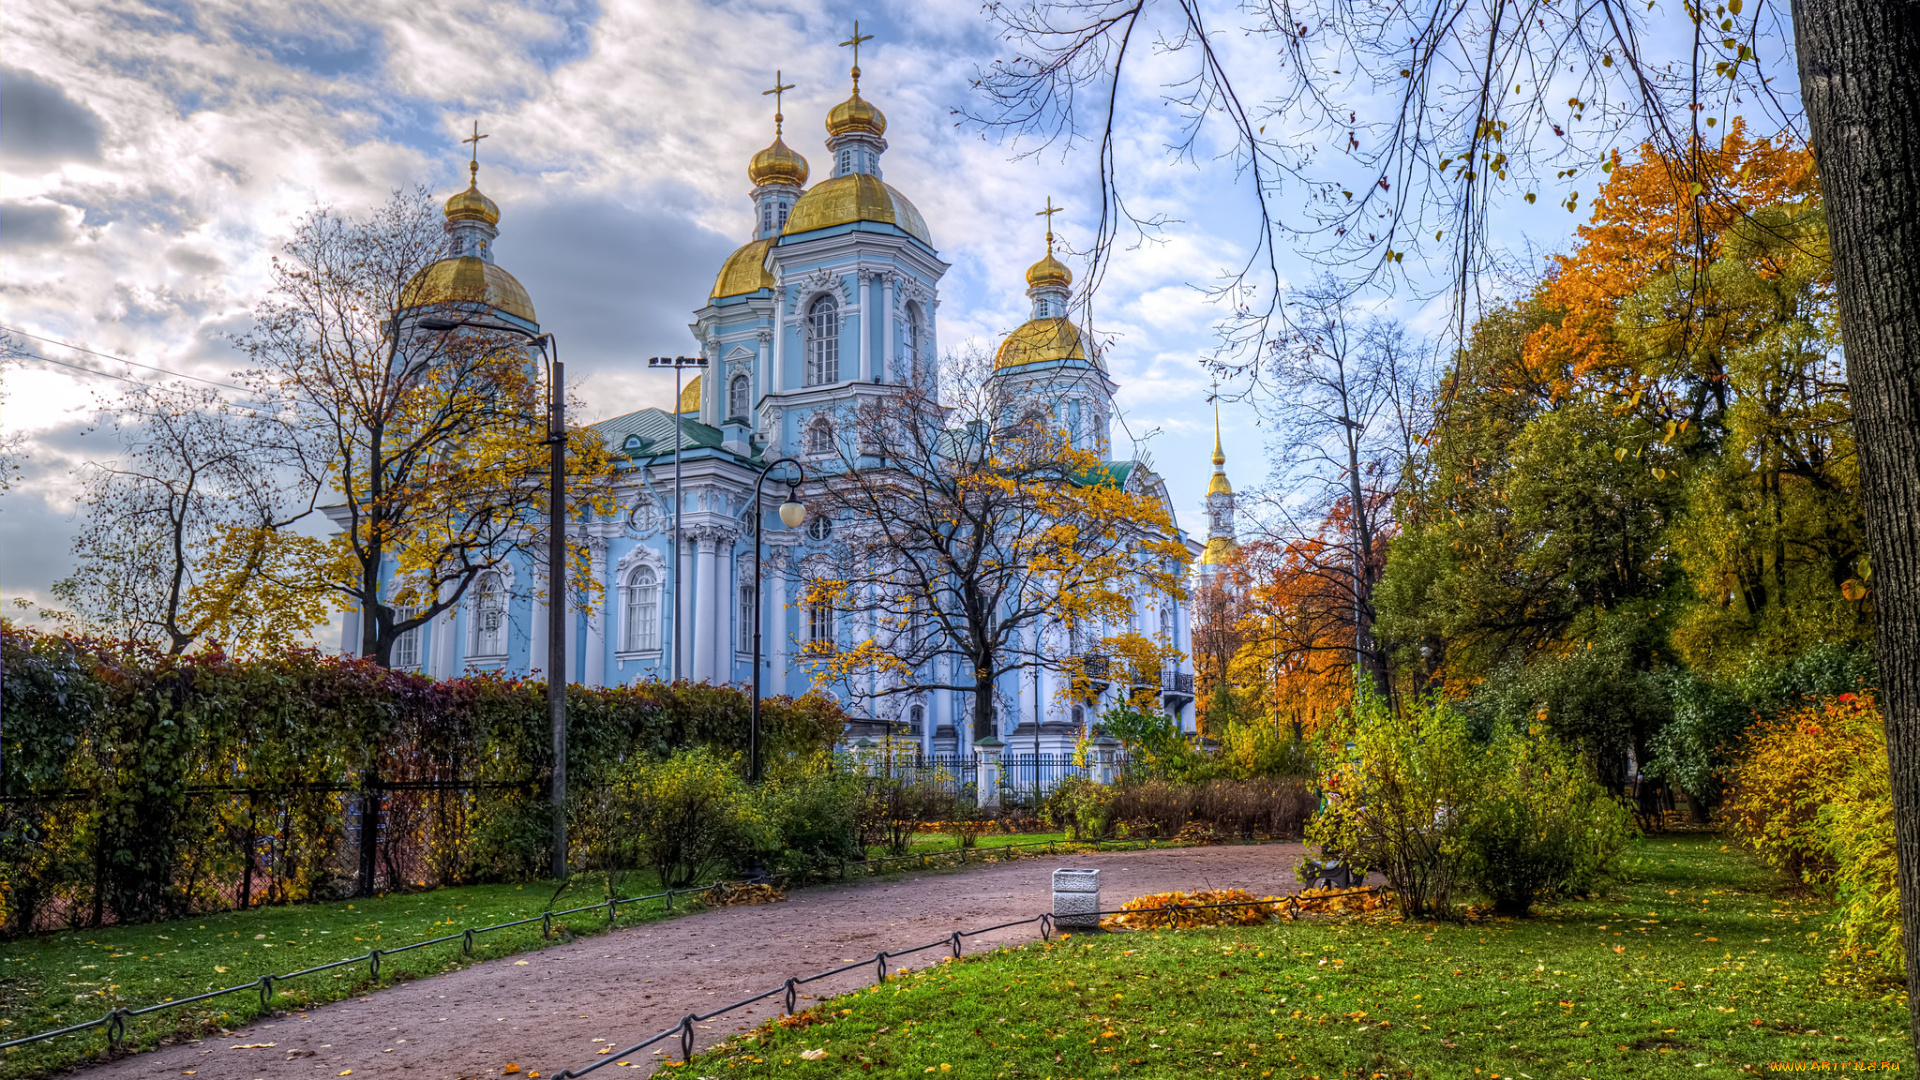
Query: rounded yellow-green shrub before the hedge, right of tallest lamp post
x=690, y=818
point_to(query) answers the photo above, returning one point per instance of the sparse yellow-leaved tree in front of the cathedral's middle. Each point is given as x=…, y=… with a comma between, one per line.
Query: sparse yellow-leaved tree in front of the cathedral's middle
x=984, y=543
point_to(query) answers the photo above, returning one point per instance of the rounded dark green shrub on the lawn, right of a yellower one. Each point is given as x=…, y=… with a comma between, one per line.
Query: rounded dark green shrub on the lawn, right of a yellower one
x=1541, y=825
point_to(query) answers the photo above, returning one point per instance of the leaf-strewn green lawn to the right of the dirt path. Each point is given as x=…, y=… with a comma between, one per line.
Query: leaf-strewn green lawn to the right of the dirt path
x=1700, y=966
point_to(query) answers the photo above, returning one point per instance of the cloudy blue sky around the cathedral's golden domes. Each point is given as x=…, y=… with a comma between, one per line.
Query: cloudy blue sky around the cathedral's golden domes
x=155, y=155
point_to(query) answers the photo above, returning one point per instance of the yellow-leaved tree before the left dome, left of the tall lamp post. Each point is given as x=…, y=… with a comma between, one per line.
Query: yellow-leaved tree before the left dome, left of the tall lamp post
x=435, y=441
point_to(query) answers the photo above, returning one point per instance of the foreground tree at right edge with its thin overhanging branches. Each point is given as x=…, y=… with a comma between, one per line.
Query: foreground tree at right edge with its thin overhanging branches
x=1464, y=107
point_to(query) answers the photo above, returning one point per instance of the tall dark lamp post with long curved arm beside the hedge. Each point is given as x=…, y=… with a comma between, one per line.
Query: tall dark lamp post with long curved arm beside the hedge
x=550, y=349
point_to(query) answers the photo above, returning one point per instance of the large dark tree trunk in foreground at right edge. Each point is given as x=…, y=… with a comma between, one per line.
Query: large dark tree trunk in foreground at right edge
x=1861, y=86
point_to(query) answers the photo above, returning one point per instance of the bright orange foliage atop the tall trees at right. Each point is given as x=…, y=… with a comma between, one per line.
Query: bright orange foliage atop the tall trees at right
x=1652, y=220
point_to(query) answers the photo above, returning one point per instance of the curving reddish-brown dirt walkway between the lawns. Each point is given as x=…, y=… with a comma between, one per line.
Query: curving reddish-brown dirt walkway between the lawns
x=558, y=1008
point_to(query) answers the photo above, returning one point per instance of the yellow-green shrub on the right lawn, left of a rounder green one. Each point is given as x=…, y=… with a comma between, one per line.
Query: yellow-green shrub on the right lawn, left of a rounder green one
x=1397, y=800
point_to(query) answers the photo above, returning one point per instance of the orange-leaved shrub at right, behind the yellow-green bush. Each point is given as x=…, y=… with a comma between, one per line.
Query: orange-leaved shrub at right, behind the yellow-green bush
x=1790, y=768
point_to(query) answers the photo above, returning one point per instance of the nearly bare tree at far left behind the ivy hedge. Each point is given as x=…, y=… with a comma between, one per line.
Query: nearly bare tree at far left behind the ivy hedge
x=187, y=533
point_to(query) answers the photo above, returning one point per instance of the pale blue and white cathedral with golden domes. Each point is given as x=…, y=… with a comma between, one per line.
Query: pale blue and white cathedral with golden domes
x=834, y=299
